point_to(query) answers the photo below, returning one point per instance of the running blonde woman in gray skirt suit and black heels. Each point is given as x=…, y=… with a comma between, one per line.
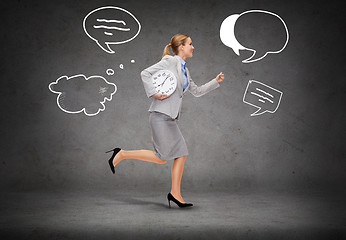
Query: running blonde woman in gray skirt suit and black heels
x=168, y=141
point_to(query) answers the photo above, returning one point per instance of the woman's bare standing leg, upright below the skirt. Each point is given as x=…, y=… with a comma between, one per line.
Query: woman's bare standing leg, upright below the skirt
x=177, y=173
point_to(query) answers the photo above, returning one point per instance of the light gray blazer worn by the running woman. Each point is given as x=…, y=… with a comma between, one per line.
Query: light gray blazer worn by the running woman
x=171, y=106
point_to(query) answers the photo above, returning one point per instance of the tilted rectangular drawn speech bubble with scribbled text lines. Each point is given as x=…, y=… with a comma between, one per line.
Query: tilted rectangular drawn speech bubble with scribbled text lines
x=265, y=98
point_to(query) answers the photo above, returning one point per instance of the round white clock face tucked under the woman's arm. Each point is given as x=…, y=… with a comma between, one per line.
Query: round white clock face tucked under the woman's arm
x=164, y=81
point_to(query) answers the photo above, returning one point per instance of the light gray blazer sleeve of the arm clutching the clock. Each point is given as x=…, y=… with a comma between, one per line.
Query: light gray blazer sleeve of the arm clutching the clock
x=148, y=72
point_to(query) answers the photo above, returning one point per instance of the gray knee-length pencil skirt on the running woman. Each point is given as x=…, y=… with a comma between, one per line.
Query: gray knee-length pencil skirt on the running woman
x=167, y=139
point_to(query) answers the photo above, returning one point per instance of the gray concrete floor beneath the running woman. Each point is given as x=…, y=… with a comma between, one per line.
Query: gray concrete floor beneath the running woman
x=145, y=215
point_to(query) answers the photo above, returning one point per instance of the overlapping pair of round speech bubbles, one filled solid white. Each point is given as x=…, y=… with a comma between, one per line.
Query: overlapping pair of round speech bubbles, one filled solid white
x=259, y=31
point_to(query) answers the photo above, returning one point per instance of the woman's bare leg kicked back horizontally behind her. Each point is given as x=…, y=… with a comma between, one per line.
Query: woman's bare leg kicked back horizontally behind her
x=144, y=155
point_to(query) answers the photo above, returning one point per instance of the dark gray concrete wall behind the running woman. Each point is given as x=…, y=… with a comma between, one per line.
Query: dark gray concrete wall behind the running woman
x=300, y=146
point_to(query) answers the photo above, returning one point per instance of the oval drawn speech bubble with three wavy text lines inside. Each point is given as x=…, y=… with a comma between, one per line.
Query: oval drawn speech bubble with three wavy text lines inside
x=111, y=25
